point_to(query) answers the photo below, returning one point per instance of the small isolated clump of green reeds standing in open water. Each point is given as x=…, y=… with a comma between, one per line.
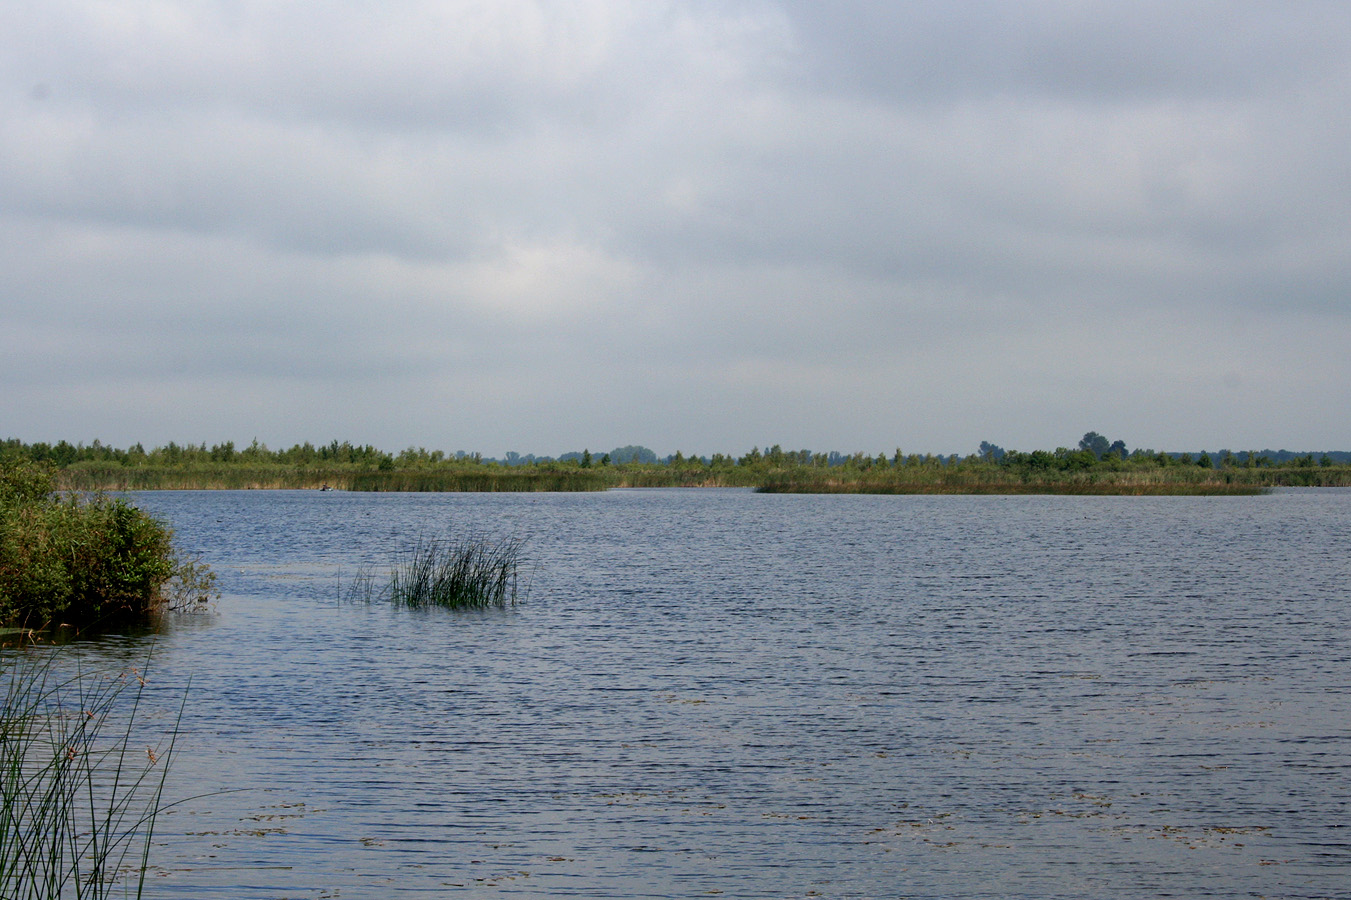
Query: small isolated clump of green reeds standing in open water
x=459, y=574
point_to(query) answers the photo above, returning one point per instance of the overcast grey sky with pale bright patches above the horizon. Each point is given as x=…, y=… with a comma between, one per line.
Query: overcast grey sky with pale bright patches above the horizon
x=700, y=226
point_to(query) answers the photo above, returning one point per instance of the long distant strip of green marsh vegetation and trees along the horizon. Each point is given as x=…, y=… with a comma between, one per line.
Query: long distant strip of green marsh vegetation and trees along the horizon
x=1096, y=466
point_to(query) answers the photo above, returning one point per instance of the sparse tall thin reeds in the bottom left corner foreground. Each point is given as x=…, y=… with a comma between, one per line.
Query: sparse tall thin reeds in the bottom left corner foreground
x=79, y=789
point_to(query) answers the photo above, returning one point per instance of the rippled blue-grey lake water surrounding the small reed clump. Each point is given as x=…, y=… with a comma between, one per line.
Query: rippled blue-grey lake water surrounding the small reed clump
x=717, y=693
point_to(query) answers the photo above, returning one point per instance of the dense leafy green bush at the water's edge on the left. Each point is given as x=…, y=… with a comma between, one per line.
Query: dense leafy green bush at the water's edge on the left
x=86, y=560
